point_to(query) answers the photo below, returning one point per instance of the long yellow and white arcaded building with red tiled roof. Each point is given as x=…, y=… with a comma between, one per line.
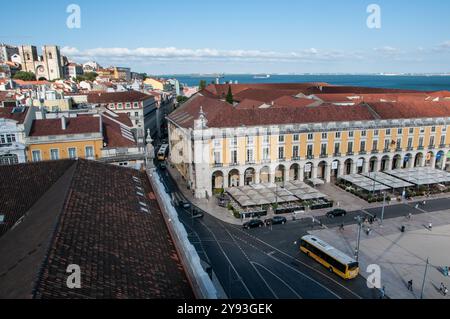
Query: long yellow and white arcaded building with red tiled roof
x=292, y=134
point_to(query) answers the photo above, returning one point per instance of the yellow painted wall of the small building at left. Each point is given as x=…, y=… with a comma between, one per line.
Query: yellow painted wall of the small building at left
x=63, y=148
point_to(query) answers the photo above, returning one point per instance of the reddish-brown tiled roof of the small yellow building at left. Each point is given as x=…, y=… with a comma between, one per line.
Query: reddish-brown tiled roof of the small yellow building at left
x=76, y=125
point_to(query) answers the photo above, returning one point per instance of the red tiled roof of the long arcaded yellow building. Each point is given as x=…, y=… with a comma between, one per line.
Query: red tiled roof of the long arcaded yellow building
x=306, y=103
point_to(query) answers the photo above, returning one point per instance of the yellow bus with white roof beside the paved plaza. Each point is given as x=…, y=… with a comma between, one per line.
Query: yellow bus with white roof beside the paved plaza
x=334, y=260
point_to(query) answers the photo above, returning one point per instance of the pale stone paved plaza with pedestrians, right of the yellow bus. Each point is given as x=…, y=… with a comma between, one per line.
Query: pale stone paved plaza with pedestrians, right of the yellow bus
x=401, y=256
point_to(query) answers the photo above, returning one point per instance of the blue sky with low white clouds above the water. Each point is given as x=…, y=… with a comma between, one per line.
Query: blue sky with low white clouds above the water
x=240, y=36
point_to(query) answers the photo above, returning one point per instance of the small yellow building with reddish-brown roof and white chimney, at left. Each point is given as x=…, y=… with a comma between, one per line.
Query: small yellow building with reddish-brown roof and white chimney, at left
x=65, y=138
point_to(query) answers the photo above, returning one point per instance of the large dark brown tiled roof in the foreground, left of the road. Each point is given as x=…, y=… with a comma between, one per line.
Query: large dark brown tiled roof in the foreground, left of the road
x=91, y=217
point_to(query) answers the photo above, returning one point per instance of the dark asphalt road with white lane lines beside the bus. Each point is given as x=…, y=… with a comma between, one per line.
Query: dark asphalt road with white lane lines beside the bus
x=264, y=263
